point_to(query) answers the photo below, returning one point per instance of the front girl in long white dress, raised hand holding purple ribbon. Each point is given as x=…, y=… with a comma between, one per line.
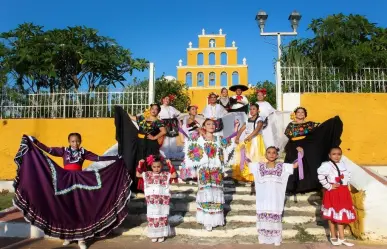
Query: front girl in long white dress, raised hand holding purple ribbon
x=270, y=183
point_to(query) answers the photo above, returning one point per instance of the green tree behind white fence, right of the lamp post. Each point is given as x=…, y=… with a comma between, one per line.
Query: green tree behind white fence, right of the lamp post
x=349, y=42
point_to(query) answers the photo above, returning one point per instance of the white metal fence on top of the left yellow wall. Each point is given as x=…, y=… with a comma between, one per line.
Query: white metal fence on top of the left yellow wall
x=97, y=104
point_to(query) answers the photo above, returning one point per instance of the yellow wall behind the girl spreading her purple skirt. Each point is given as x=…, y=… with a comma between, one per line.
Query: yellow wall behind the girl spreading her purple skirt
x=97, y=134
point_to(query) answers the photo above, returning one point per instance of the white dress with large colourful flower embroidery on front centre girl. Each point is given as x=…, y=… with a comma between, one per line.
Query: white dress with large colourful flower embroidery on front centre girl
x=207, y=158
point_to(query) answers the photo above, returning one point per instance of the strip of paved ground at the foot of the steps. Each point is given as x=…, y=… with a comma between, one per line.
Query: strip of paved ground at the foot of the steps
x=127, y=242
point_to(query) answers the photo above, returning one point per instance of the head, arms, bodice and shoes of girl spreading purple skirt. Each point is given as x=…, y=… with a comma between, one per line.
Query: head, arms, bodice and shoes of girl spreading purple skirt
x=73, y=159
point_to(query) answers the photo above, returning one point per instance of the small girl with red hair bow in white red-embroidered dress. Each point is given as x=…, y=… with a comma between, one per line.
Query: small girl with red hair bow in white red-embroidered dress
x=157, y=196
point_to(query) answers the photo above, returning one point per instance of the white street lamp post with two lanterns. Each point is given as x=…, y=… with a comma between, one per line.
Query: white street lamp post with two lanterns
x=294, y=19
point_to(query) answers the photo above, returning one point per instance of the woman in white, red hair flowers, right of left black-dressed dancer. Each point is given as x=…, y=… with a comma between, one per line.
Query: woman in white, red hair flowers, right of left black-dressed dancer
x=169, y=116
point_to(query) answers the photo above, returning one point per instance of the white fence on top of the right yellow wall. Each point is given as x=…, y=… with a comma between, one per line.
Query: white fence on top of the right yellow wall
x=312, y=79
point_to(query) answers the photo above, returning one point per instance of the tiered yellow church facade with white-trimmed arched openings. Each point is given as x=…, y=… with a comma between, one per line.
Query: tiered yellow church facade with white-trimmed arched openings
x=198, y=94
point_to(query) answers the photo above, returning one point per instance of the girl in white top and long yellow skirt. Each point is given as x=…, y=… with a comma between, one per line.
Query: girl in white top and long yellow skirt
x=250, y=145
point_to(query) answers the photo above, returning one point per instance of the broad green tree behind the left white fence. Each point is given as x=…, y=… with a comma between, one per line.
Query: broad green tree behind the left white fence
x=63, y=59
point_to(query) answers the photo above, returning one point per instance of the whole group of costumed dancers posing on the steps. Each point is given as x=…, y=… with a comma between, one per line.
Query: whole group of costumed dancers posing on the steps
x=77, y=205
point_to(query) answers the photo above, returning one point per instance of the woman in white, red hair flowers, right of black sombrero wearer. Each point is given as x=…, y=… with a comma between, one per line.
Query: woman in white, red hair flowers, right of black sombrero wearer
x=265, y=110
